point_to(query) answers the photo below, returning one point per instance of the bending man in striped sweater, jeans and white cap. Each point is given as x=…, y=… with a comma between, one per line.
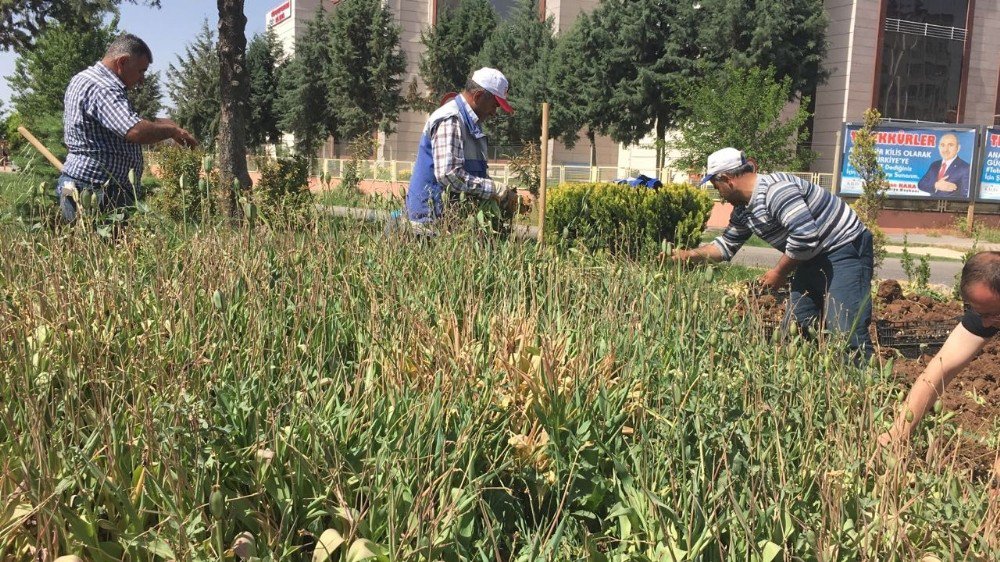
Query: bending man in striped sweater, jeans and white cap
x=822, y=239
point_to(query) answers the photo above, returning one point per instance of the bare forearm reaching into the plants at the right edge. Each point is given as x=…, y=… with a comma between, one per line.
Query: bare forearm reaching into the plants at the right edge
x=958, y=351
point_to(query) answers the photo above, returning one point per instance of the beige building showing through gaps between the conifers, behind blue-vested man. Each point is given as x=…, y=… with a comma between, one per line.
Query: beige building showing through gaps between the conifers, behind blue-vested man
x=288, y=21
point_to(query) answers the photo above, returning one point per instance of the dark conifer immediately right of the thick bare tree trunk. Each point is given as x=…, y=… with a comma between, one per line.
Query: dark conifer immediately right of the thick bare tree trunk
x=264, y=56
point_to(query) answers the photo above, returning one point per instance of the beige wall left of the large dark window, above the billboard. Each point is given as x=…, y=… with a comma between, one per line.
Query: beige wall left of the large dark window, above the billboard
x=852, y=35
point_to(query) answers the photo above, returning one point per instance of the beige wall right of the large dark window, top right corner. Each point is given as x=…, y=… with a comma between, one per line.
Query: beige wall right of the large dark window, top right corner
x=984, y=66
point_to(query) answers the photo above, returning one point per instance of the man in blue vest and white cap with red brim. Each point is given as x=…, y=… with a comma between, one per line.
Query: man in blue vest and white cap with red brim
x=452, y=155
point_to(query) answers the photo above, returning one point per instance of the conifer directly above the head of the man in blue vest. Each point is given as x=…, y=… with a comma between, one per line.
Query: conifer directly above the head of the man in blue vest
x=453, y=44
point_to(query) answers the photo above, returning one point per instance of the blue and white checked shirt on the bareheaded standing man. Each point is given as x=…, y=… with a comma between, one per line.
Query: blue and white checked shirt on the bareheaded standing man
x=98, y=115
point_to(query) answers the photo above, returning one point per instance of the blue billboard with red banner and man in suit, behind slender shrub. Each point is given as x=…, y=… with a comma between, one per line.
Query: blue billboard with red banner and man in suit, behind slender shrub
x=920, y=162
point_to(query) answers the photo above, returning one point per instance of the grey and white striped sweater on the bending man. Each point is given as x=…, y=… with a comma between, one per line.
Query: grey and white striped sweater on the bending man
x=794, y=216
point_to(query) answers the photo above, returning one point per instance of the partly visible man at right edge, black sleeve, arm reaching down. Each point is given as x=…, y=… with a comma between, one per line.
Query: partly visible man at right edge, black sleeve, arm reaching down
x=980, y=289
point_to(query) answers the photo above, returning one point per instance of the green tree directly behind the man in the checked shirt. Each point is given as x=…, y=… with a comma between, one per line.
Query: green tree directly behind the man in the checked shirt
x=41, y=75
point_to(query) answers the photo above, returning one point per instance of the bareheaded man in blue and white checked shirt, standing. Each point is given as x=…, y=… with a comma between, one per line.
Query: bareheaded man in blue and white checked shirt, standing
x=104, y=133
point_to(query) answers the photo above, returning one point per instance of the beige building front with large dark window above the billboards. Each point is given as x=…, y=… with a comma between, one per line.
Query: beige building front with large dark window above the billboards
x=935, y=61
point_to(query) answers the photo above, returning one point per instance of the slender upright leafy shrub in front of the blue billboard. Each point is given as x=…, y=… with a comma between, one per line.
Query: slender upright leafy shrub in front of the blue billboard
x=864, y=159
